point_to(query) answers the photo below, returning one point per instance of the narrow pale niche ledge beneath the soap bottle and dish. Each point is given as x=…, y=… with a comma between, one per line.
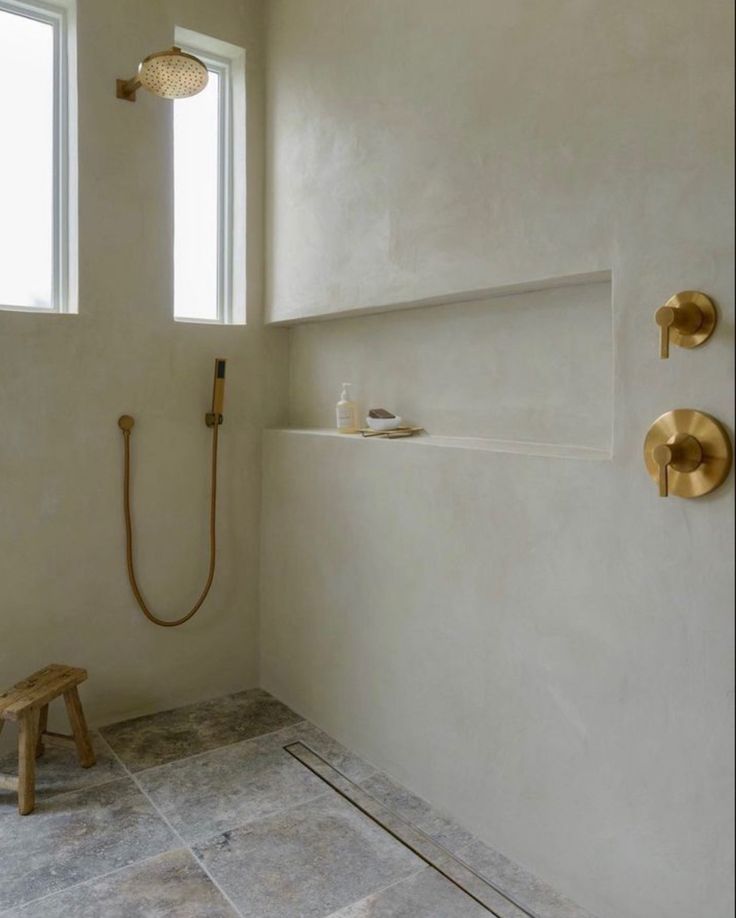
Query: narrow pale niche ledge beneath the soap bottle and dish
x=474, y=444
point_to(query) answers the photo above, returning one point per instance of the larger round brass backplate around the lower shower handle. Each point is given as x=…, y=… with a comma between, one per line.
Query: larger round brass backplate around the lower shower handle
x=713, y=439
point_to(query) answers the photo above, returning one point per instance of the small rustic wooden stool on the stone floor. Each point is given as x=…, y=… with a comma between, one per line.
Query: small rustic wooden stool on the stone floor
x=28, y=704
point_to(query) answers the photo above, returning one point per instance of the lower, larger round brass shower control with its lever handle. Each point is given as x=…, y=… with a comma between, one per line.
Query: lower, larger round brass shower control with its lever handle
x=688, y=453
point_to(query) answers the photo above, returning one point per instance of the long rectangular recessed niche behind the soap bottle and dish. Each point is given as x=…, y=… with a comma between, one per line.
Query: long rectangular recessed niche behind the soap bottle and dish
x=533, y=366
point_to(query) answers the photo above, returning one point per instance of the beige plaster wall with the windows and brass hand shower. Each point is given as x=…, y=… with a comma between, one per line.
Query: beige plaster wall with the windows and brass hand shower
x=64, y=380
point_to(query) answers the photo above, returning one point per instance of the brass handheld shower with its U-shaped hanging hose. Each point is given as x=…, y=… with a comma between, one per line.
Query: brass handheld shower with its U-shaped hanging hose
x=213, y=419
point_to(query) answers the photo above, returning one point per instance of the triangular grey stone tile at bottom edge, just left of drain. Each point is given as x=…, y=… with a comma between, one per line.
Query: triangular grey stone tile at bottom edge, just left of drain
x=420, y=896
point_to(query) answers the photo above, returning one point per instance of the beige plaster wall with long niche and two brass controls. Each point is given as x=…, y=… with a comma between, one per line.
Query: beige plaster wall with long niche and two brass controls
x=539, y=645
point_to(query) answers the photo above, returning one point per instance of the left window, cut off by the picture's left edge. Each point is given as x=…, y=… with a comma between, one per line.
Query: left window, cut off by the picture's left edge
x=34, y=158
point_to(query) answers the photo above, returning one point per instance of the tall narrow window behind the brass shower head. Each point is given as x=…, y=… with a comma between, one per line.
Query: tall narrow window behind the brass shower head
x=206, y=285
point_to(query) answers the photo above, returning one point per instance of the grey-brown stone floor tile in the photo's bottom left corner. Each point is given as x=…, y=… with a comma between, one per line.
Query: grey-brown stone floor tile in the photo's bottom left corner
x=172, y=885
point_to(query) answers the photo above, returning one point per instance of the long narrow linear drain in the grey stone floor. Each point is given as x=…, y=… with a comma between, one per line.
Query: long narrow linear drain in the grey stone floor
x=488, y=896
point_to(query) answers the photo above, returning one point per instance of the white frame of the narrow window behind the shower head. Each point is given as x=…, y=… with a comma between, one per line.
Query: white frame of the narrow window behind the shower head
x=228, y=62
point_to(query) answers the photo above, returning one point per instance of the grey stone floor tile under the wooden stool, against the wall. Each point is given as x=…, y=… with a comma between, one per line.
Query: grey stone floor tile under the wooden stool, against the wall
x=58, y=772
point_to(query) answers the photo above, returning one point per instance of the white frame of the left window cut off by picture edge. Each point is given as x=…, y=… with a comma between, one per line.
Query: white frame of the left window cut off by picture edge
x=63, y=281
